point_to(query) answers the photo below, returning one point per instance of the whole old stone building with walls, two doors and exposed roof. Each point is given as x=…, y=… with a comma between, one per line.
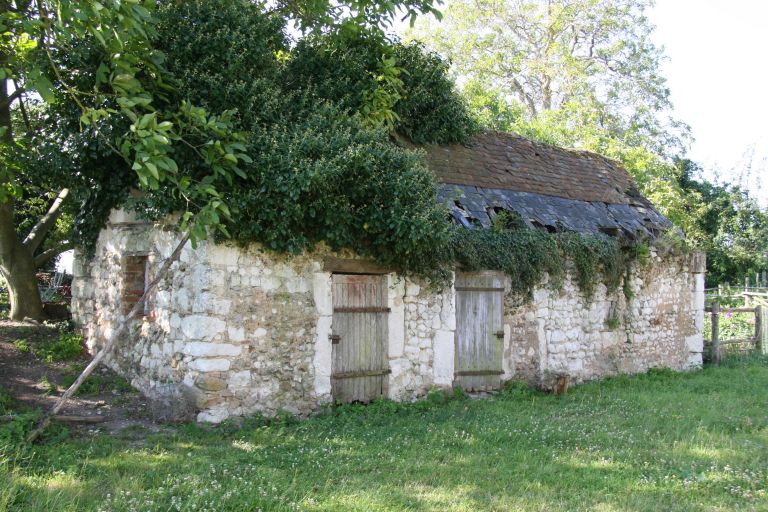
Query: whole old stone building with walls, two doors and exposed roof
x=234, y=332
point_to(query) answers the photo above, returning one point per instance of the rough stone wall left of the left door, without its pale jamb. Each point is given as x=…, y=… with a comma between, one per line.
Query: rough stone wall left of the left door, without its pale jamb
x=230, y=332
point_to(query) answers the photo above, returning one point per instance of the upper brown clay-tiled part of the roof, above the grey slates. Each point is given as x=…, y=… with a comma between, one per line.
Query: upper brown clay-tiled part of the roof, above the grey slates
x=511, y=162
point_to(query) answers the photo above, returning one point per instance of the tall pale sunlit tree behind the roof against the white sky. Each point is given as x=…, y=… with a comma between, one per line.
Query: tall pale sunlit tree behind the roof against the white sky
x=575, y=61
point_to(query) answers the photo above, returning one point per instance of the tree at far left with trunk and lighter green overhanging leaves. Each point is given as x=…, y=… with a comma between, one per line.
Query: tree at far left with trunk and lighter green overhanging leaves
x=98, y=59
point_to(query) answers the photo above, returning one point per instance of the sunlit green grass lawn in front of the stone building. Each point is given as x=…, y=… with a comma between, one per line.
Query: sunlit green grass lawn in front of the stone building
x=660, y=441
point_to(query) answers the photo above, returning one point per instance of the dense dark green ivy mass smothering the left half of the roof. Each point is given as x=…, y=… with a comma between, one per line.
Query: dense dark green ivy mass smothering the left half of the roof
x=322, y=165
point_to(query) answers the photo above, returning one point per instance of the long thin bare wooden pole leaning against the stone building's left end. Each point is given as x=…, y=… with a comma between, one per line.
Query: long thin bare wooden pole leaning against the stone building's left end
x=121, y=328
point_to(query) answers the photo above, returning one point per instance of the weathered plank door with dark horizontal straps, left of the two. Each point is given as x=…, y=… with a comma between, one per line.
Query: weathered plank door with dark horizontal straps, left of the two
x=359, y=339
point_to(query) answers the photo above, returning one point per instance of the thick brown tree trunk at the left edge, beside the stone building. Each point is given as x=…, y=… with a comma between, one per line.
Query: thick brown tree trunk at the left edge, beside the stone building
x=18, y=269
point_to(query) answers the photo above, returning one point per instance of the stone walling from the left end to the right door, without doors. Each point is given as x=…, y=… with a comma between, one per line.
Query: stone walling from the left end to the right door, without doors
x=234, y=332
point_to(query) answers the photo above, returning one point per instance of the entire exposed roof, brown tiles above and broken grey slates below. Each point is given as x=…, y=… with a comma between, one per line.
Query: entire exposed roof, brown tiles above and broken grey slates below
x=551, y=188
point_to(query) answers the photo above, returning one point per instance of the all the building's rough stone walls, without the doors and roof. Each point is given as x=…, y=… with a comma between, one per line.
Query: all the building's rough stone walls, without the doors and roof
x=236, y=332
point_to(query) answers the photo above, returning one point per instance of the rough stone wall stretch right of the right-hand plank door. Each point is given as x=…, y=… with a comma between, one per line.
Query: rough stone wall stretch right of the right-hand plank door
x=654, y=320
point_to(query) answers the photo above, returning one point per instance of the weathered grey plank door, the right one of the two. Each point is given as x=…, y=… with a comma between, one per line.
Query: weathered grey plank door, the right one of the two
x=479, y=330
